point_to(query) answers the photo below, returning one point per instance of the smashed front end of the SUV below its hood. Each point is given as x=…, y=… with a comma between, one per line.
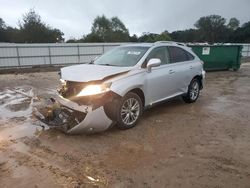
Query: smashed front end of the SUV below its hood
x=75, y=112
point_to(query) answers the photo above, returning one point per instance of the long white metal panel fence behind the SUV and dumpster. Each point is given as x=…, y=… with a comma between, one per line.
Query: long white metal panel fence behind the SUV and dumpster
x=35, y=55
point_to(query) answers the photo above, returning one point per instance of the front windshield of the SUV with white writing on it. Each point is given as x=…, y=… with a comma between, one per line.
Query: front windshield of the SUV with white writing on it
x=126, y=56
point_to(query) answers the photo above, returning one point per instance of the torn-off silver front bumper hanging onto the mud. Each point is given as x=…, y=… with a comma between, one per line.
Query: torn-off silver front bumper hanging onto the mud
x=73, y=118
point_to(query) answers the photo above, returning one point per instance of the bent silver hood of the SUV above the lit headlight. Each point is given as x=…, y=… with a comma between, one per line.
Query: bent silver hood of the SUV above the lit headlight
x=90, y=72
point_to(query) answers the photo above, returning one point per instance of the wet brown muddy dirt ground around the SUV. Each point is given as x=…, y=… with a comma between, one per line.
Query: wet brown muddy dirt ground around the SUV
x=205, y=144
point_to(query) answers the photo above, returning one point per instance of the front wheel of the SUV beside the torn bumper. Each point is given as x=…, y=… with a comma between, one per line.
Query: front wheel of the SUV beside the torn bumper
x=129, y=111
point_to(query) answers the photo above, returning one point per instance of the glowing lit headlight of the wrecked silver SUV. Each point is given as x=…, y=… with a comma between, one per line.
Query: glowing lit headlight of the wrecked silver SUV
x=94, y=89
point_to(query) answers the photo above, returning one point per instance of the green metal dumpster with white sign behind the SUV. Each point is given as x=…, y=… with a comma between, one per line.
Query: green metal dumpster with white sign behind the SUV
x=219, y=57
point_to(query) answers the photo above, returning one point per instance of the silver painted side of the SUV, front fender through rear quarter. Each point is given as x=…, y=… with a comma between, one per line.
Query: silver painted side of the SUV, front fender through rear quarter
x=163, y=82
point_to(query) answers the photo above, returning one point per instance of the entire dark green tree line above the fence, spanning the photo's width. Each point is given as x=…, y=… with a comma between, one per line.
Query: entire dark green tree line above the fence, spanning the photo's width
x=212, y=28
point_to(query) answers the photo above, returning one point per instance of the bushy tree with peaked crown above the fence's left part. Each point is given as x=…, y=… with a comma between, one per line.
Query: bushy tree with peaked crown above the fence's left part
x=33, y=30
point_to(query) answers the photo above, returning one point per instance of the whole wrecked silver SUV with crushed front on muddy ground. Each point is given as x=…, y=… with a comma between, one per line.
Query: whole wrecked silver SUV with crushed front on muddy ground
x=117, y=87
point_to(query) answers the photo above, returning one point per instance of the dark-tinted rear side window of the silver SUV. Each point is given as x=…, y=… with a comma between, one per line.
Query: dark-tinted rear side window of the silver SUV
x=178, y=54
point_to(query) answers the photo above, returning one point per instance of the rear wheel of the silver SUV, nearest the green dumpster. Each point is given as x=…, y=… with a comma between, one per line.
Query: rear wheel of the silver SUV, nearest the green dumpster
x=193, y=91
